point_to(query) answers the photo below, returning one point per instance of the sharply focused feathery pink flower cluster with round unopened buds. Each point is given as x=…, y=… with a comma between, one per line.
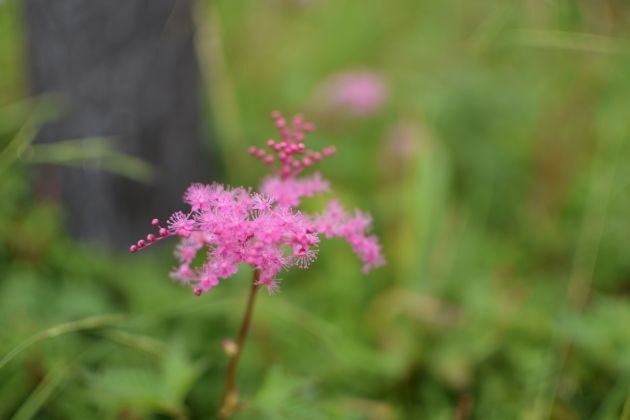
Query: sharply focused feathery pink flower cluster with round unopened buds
x=262, y=230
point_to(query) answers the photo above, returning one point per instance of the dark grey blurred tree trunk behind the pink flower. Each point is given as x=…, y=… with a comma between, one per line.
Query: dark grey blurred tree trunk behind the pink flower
x=127, y=69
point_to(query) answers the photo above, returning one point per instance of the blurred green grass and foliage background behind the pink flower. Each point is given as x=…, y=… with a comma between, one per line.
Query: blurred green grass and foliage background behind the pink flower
x=497, y=171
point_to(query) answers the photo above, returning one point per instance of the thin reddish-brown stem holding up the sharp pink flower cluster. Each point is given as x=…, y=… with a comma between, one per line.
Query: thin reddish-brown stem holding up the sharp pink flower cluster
x=230, y=394
